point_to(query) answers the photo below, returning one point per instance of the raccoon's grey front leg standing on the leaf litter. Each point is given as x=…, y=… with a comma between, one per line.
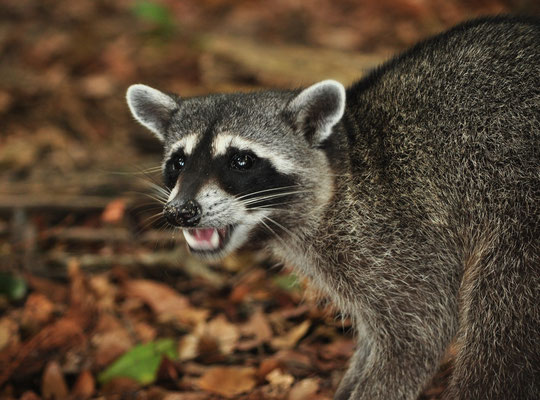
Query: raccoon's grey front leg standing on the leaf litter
x=403, y=349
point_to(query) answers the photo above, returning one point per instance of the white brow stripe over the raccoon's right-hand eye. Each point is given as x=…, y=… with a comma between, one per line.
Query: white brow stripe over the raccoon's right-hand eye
x=224, y=141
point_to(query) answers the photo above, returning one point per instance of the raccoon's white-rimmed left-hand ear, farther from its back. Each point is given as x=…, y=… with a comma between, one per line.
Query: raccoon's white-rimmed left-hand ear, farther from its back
x=151, y=108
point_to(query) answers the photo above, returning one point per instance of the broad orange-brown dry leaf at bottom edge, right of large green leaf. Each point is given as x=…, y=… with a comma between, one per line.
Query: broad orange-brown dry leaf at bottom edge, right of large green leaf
x=228, y=381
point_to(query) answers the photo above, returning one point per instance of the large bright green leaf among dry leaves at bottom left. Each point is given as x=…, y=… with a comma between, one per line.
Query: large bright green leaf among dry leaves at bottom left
x=141, y=363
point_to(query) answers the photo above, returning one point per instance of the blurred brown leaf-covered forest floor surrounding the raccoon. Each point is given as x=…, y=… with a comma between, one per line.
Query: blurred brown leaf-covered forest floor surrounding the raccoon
x=88, y=271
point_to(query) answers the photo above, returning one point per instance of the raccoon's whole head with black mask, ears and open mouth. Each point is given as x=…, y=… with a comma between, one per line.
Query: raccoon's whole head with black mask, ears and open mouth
x=243, y=169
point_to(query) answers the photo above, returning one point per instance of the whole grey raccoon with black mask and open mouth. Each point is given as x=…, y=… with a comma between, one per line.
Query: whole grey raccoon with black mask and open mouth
x=412, y=198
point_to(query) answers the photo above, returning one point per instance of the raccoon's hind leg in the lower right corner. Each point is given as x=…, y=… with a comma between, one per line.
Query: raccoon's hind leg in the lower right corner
x=499, y=337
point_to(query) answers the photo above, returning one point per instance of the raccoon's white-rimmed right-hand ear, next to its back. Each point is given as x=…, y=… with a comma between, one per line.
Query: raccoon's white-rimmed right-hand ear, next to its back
x=317, y=109
